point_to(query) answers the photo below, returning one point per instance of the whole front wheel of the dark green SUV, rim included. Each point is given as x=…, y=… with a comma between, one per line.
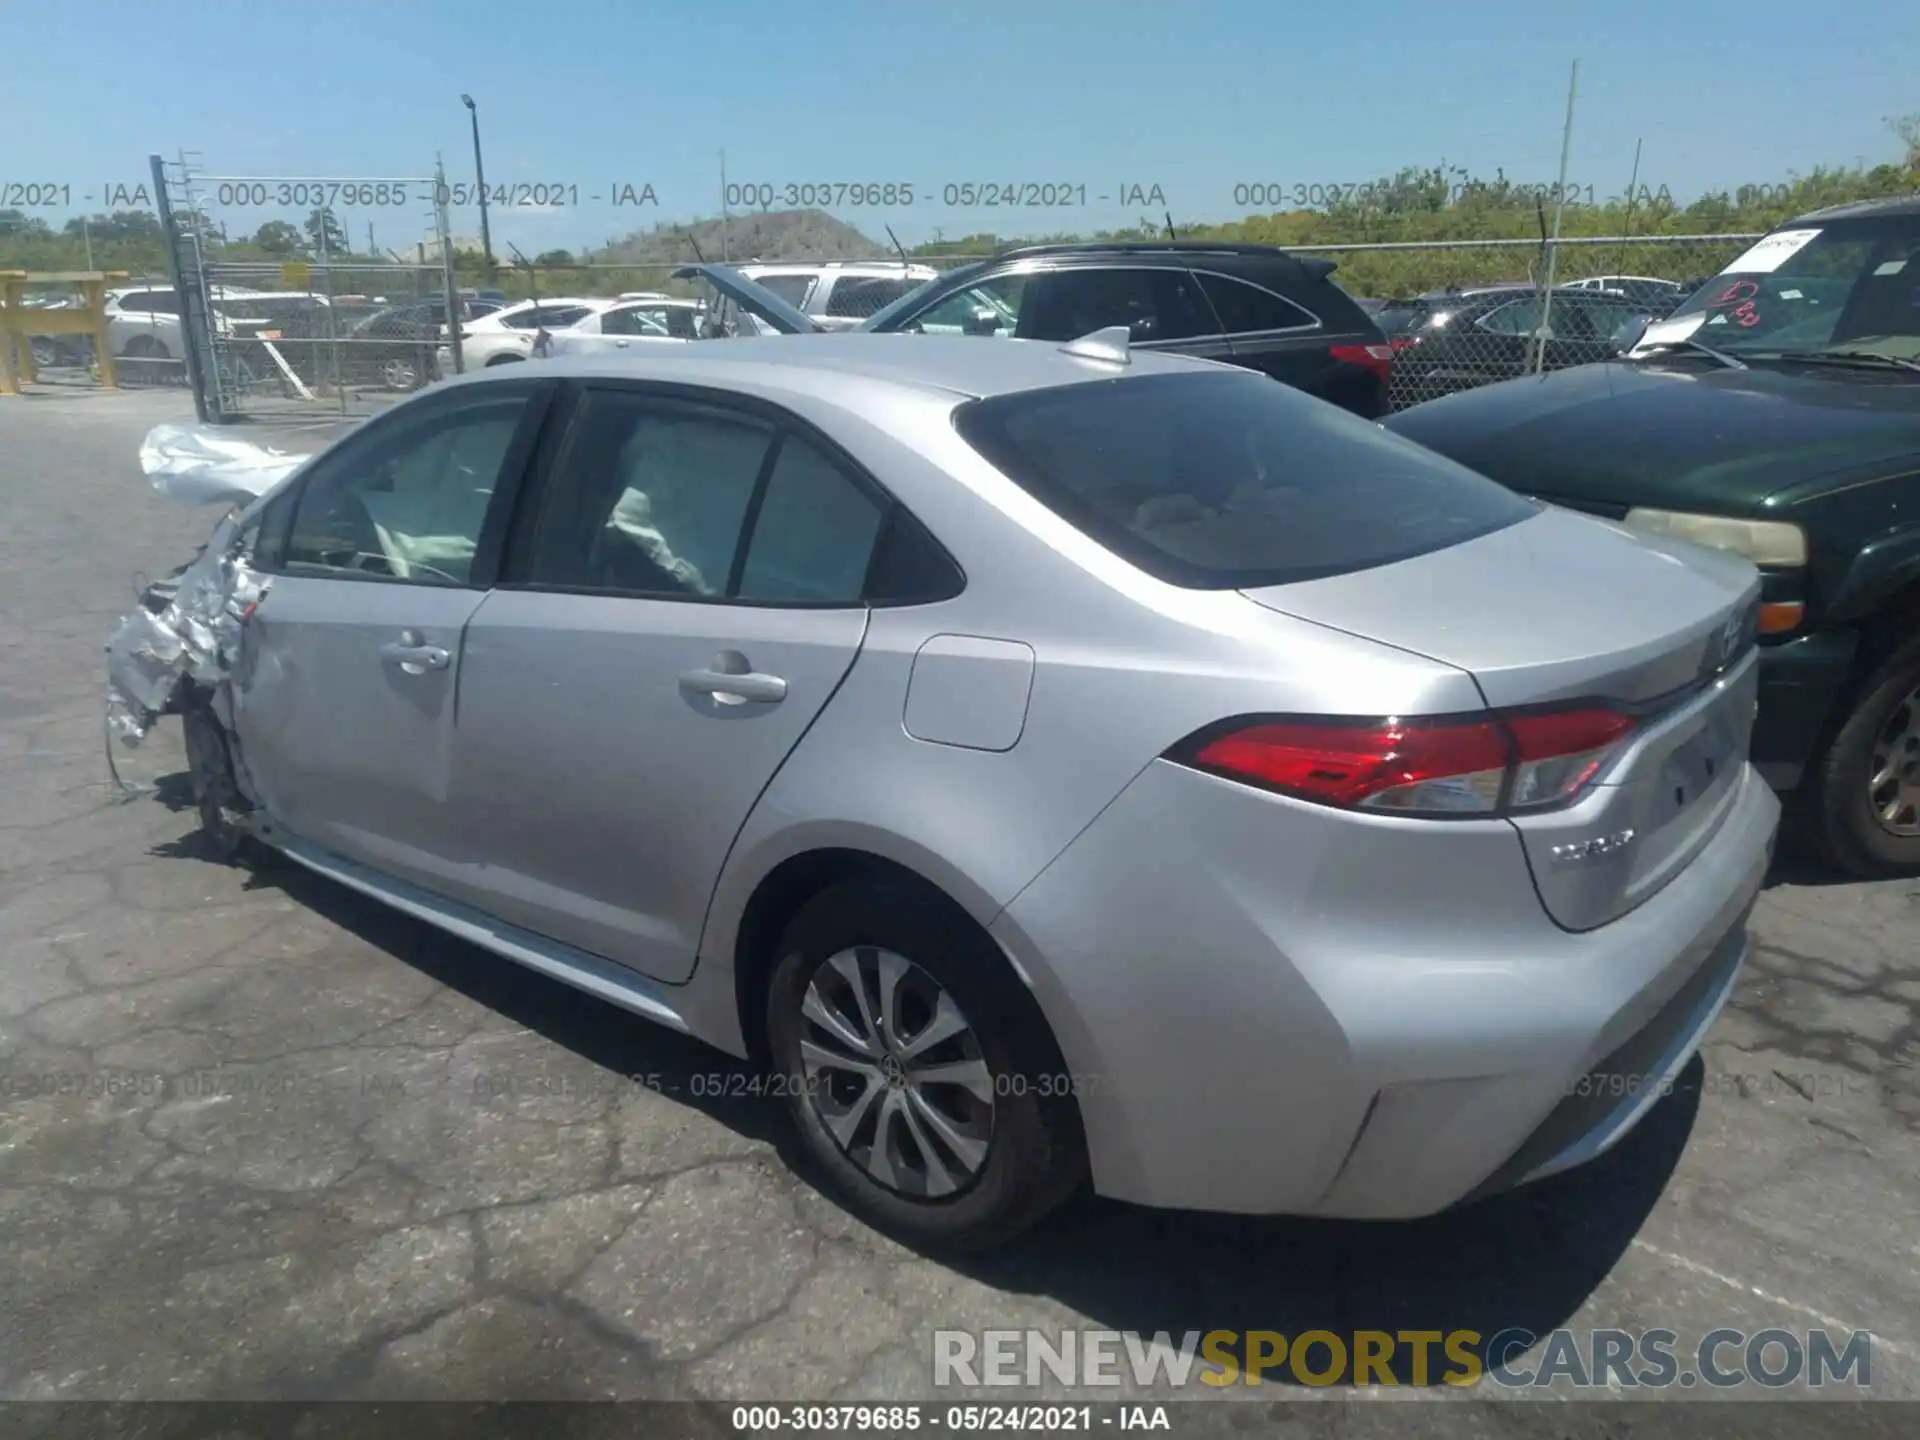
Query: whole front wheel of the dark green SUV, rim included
x=1867, y=788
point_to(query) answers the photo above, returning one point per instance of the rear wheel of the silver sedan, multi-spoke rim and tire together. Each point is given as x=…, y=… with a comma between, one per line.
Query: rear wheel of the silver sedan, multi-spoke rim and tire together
x=919, y=1070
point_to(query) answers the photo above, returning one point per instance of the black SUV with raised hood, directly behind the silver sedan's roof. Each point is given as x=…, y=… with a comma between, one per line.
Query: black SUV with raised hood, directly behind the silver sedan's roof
x=1253, y=306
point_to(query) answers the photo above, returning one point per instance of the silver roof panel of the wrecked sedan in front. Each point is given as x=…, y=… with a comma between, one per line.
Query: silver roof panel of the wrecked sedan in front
x=955, y=366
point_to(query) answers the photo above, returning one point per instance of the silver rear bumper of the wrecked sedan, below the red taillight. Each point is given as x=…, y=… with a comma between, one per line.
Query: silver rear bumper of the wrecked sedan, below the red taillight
x=1276, y=1009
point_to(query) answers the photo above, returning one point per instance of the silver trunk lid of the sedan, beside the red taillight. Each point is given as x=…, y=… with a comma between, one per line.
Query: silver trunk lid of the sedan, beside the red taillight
x=1572, y=610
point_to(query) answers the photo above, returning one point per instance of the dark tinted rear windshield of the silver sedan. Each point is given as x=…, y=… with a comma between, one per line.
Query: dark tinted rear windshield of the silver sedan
x=1218, y=481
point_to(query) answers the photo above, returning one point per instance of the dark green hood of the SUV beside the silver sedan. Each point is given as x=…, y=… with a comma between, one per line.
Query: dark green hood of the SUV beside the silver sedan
x=1679, y=435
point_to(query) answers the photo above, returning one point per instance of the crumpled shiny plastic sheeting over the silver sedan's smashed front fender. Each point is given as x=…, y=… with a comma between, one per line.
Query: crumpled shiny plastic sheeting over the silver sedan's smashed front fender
x=197, y=636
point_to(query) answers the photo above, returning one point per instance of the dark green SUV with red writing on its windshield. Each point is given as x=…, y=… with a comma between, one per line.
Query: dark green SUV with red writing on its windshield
x=1775, y=414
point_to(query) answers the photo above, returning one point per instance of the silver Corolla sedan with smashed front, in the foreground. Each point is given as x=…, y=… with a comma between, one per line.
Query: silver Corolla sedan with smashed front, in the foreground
x=1053, y=763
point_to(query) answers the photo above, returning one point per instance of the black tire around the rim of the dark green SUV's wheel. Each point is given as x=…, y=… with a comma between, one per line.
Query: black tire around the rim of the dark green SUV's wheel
x=1844, y=821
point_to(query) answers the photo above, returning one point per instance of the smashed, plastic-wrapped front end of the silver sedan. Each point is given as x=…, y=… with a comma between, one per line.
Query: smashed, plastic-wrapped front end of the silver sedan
x=181, y=648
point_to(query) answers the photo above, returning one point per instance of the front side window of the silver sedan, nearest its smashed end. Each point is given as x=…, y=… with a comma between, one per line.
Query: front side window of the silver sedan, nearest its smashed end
x=408, y=504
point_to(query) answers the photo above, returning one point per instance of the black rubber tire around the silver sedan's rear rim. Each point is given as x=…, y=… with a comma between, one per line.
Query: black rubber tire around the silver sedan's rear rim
x=1036, y=1157
